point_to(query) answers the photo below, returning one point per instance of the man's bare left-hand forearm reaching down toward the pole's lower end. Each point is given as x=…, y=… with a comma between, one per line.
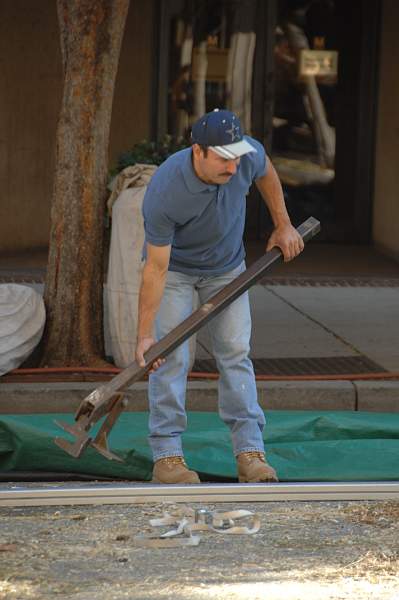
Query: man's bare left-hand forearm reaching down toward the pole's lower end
x=151, y=290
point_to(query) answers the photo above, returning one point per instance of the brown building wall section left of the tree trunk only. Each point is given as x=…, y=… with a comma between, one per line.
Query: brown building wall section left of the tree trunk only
x=30, y=94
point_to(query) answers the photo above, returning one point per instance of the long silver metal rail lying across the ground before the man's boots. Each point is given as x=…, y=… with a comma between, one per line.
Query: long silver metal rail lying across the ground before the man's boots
x=57, y=495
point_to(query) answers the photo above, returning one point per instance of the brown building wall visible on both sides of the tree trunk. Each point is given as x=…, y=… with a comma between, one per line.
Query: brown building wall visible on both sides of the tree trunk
x=30, y=97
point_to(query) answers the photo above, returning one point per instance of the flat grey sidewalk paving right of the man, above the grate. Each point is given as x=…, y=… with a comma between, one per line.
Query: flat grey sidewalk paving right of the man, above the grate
x=327, y=321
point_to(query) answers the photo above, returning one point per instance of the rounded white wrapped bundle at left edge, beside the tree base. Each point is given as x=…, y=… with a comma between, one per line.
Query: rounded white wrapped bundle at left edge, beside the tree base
x=22, y=319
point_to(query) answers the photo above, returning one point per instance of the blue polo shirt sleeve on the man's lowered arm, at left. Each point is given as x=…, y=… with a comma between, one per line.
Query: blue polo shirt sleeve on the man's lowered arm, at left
x=159, y=228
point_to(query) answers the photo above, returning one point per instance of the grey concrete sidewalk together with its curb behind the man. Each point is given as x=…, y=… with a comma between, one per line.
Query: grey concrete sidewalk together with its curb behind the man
x=316, y=320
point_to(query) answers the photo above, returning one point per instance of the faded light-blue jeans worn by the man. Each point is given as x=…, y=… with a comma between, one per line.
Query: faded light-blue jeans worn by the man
x=230, y=333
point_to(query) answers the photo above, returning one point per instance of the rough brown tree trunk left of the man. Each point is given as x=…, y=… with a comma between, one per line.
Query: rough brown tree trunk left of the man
x=91, y=35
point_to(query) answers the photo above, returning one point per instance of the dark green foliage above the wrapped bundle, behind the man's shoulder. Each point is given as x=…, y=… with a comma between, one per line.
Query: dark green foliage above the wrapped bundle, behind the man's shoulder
x=150, y=153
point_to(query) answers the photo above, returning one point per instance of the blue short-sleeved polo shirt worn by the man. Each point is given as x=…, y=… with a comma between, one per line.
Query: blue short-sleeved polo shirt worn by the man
x=203, y=223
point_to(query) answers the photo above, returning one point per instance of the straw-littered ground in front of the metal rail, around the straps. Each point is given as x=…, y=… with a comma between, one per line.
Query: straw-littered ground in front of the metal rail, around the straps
x=313, y=550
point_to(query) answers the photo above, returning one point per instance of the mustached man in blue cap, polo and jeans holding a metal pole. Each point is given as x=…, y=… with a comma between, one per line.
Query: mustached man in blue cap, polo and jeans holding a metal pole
x=194, y=216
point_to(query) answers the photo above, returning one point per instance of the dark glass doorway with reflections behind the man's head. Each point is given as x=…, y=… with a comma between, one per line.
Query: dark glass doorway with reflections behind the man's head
x=302, y=77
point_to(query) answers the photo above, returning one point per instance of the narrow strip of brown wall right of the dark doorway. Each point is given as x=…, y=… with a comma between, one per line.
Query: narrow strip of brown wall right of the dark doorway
x=386, y=193
